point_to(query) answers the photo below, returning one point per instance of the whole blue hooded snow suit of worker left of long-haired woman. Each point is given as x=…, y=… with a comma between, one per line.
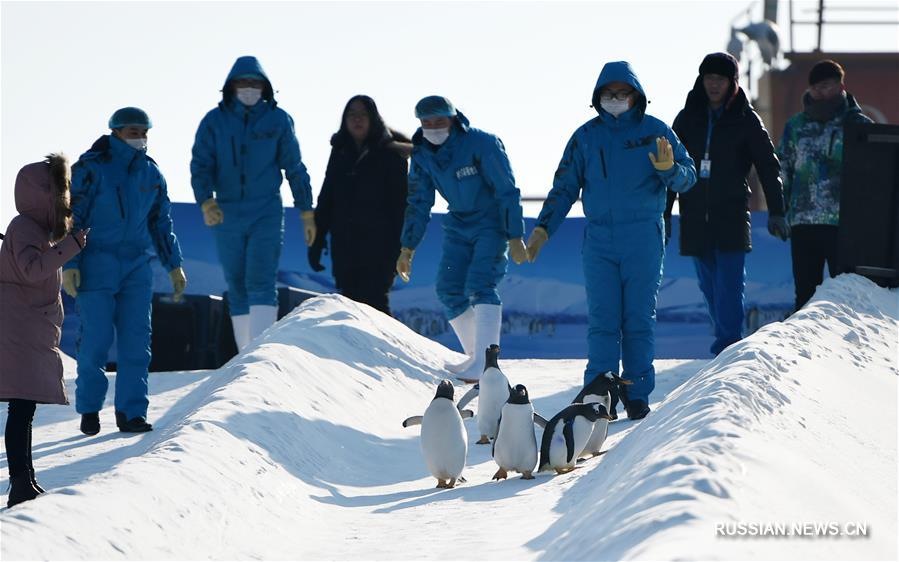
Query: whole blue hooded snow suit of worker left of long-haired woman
x=238, y=155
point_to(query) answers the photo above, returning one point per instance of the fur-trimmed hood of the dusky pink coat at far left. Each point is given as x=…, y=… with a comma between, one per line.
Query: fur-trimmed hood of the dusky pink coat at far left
x=42, y=194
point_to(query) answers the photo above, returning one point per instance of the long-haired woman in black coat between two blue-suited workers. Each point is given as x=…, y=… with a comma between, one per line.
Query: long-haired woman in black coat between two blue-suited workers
x=362, y=204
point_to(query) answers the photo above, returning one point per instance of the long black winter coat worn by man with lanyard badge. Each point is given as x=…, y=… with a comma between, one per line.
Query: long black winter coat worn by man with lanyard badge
x=715, y=213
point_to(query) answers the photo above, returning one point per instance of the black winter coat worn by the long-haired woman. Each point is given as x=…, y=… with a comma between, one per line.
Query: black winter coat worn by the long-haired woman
x=362, y=204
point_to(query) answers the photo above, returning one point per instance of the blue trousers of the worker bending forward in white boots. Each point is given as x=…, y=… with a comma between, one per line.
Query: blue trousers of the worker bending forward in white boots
x=471, y=267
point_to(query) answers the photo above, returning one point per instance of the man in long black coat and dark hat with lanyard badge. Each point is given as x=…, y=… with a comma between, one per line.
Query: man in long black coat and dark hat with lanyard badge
x=725, y=137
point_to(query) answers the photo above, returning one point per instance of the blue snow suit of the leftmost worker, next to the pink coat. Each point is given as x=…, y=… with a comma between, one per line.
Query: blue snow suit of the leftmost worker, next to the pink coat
x=121, y=195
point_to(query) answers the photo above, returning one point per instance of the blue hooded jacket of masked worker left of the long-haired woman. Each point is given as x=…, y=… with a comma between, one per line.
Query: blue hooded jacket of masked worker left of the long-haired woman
x=239, y=151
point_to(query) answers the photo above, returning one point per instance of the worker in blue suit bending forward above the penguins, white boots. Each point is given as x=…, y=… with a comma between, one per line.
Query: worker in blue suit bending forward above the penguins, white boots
x=470, y=169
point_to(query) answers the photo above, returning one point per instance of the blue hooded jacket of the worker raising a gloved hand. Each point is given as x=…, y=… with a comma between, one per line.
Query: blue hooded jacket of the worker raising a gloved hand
x=608, y=159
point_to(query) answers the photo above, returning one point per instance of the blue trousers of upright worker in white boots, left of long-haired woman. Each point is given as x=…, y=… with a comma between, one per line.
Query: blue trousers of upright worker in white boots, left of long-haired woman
x=249, y=244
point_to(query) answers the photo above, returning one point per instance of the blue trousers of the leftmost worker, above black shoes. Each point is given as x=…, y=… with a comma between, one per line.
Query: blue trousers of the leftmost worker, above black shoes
x=116, y=293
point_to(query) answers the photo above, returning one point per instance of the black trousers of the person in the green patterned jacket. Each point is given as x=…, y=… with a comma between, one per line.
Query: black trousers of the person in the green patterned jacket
x=811, y=245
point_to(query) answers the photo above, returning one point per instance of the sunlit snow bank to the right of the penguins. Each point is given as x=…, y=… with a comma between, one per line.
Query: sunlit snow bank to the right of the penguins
x=795, y=424
